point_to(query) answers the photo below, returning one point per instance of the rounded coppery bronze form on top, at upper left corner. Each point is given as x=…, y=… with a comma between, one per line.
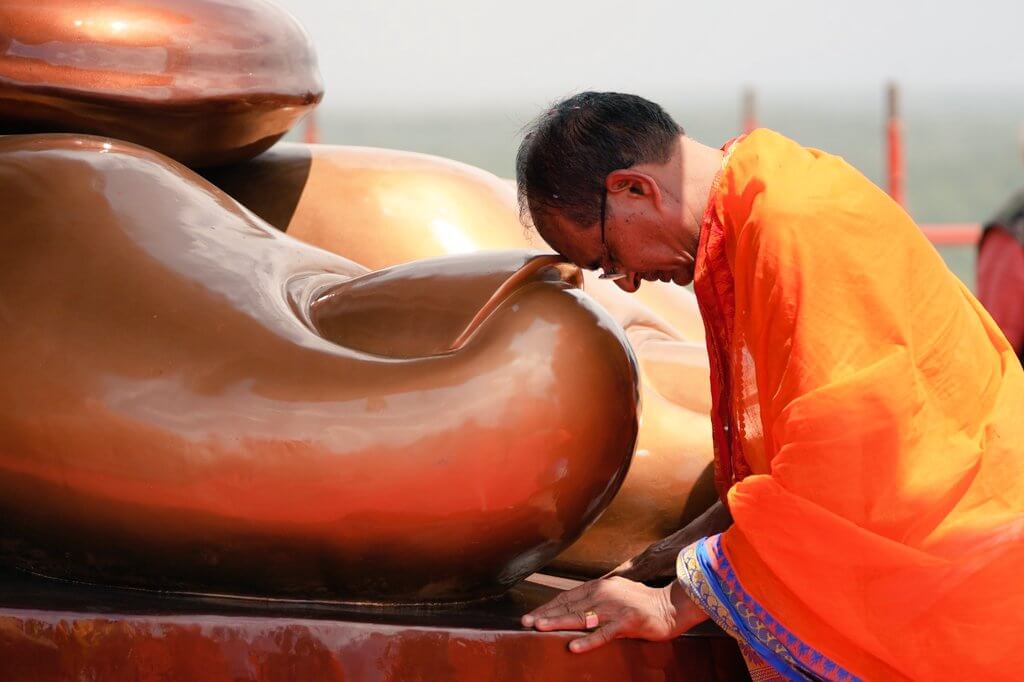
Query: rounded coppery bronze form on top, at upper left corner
x=203, y=81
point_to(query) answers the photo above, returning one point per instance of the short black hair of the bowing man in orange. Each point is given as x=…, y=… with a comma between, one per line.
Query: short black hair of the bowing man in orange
x=569, y=151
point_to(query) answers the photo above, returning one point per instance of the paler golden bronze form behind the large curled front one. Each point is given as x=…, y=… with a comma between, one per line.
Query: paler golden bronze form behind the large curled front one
x=381, y=207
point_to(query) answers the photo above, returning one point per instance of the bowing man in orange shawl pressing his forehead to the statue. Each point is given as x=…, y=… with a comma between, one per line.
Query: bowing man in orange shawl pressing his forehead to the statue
x=868, y=413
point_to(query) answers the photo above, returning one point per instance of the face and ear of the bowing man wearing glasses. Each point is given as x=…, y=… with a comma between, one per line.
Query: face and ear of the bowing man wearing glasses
x=643, y=241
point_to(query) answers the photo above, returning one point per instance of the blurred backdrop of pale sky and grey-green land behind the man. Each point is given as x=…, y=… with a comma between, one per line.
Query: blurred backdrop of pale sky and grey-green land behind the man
x=460, y=79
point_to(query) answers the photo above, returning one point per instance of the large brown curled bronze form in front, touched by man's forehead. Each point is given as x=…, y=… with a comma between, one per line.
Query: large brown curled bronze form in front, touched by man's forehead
x=196, y=402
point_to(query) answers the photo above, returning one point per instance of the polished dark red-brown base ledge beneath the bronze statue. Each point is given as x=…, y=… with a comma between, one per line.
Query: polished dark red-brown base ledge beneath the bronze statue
x=54, y=631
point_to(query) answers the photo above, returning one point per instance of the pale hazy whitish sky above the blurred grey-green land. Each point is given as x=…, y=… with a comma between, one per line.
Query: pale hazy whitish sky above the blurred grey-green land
x=457, y=54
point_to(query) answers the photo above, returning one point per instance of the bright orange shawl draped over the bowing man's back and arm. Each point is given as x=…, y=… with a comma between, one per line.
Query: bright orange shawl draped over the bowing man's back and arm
x=869, y=420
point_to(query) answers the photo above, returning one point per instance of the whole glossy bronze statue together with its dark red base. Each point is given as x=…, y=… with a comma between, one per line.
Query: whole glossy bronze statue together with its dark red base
x=199, y=406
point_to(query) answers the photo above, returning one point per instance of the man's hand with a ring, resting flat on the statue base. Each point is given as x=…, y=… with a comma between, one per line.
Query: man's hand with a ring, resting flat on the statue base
x=618, y=609
